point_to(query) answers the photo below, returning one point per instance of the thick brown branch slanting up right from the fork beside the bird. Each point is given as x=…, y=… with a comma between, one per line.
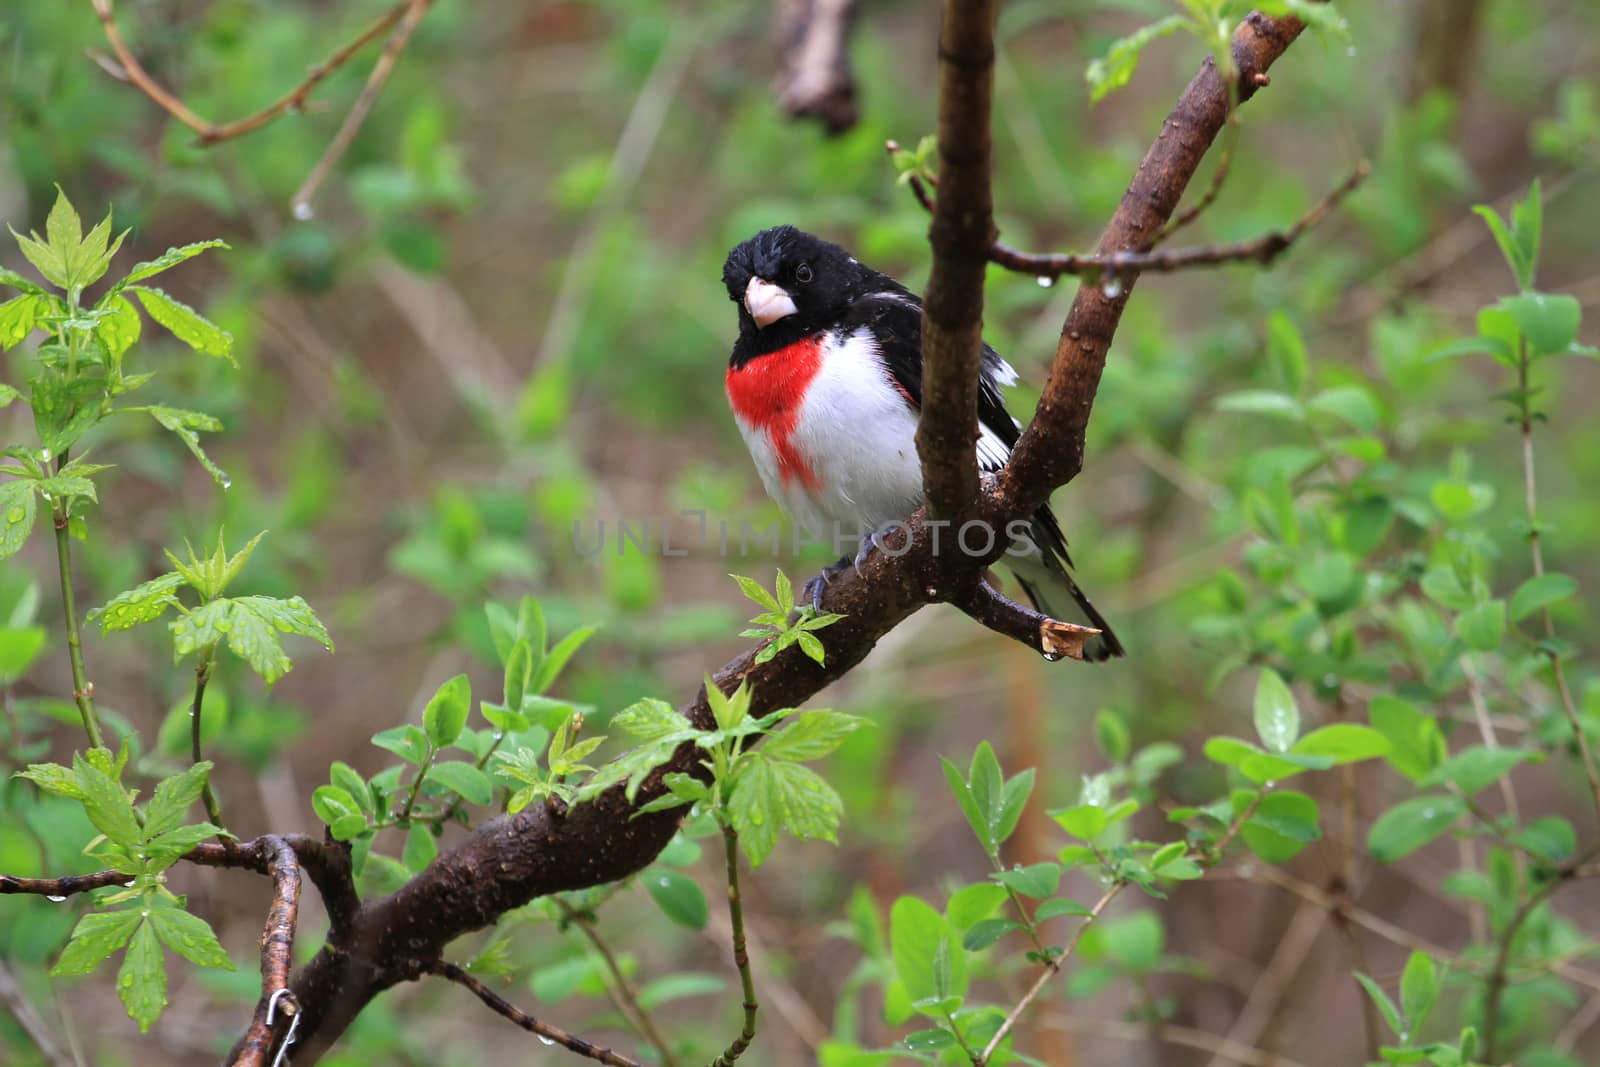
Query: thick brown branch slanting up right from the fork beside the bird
x=1050, y=452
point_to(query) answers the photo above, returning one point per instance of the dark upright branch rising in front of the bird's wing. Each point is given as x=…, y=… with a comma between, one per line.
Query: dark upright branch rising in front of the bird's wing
x=953, y=316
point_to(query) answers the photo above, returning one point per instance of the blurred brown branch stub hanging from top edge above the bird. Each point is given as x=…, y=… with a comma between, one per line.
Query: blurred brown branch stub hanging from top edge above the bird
x=817, y=81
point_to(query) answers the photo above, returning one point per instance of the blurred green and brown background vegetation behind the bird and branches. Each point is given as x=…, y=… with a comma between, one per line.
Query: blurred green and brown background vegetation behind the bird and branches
x=505, y=318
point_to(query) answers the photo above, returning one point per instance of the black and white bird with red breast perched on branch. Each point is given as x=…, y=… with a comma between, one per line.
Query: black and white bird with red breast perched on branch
x=826, y=386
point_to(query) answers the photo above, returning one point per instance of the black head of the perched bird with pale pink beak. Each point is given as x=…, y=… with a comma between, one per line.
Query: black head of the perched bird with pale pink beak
x=790, y=284
